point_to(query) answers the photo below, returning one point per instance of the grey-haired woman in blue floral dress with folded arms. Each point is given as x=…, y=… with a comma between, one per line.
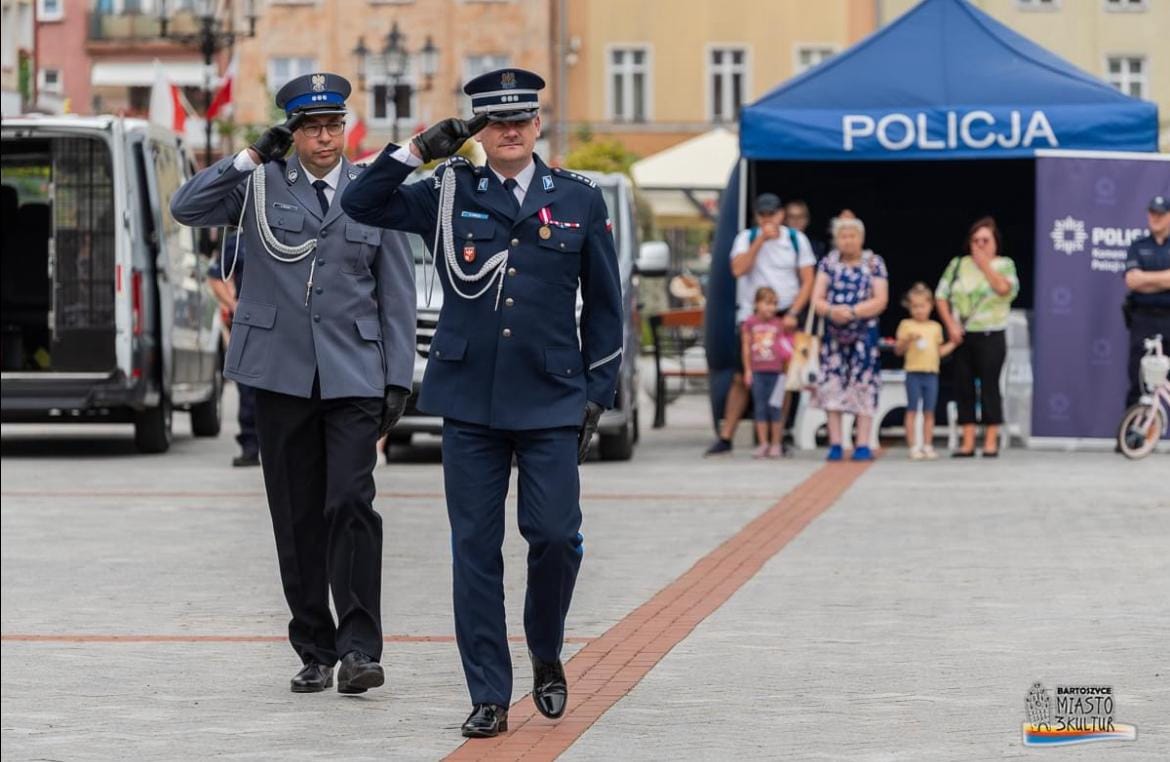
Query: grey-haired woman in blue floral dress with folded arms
x=851, y=292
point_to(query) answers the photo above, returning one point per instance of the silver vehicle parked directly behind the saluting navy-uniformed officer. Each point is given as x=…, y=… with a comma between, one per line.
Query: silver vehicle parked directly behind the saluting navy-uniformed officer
x=620, y=428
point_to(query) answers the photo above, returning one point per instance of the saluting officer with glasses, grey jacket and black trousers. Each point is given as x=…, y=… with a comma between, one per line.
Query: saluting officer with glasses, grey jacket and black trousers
x=325, y=331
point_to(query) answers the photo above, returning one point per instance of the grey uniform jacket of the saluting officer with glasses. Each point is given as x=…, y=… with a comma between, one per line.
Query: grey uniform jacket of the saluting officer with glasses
x=359, y=328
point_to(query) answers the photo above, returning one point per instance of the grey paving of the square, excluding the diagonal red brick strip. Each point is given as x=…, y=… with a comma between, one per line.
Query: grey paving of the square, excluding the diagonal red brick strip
x=907, y=622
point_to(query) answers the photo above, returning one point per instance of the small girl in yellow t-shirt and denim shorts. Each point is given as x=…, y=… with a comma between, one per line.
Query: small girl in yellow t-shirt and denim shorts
x=921, y=341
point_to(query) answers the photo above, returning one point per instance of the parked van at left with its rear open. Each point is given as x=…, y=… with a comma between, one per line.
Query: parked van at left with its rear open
x=106, y=312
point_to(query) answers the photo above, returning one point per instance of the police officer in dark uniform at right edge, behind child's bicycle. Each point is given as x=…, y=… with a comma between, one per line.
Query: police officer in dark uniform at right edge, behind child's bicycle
x=1148, y=280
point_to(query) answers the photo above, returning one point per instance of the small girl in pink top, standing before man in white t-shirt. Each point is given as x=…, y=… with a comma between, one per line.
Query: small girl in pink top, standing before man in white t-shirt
x=767, y=349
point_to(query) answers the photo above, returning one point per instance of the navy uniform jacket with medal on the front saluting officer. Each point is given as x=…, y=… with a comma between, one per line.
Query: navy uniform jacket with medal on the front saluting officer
x=520, y=366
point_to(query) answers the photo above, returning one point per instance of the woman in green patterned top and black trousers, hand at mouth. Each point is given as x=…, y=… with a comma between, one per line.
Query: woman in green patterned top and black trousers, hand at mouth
x=974, y=298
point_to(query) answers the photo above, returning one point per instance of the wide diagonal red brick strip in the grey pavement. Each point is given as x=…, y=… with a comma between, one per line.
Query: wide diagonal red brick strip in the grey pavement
x=608, y=669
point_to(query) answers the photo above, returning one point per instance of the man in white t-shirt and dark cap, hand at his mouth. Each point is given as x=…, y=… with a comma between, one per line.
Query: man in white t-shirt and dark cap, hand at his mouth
x=774, y=256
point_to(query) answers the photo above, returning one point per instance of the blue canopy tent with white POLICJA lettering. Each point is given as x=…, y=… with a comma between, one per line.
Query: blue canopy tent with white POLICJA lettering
x=920, y=129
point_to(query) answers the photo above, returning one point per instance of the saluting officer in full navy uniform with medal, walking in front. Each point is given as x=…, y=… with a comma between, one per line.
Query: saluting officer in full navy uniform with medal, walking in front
x=513, y=243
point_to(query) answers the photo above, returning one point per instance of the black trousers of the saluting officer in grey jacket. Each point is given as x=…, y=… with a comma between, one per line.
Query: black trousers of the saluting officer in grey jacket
x=319, y=458
